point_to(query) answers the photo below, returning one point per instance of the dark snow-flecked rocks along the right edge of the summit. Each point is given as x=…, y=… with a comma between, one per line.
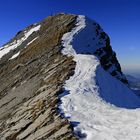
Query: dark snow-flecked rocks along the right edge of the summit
x=108, y=57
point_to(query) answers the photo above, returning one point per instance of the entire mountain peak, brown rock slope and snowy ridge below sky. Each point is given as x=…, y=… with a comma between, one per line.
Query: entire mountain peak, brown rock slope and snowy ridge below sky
x=60, y=79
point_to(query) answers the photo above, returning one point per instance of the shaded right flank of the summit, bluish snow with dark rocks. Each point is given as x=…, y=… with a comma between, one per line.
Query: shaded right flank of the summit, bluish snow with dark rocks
x=93, y=40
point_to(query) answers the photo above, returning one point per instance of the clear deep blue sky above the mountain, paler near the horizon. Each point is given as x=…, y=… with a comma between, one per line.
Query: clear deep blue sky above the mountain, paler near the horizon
x=119, y=18
